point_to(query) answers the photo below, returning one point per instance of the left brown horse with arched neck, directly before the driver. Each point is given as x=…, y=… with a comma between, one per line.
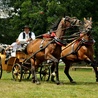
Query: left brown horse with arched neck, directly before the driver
x=50, y=49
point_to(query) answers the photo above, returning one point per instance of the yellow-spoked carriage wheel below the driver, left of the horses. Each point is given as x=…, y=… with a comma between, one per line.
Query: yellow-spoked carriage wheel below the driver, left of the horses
x=17, y=72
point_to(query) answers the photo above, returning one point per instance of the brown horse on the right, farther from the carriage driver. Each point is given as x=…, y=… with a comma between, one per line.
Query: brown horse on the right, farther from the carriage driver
x=80, y=49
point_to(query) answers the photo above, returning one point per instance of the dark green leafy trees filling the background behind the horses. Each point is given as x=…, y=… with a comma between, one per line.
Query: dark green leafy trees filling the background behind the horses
x=41, y=14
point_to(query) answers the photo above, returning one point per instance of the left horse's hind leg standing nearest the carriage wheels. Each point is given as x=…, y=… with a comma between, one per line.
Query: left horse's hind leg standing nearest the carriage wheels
x=33, y=72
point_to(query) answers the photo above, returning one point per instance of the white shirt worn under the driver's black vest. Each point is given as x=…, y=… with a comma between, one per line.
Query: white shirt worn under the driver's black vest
x=20, y=37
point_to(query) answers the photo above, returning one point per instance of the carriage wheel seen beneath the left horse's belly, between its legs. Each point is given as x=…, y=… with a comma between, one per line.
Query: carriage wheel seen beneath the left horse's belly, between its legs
x=45, y=73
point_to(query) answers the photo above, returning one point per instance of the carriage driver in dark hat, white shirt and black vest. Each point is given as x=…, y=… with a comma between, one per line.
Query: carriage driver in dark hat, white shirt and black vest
x=24, y=38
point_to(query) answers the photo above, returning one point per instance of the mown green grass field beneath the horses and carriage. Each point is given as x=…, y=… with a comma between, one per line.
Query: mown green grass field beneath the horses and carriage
x=86, y=87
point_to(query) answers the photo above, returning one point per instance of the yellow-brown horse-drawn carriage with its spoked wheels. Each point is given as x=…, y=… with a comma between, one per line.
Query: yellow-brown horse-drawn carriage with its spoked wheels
x=21, y=67
